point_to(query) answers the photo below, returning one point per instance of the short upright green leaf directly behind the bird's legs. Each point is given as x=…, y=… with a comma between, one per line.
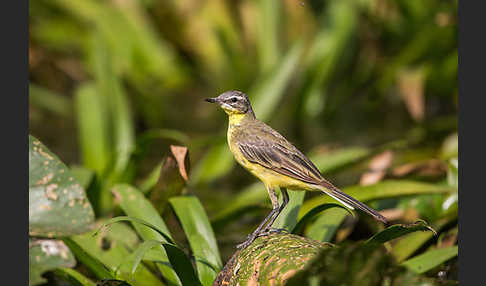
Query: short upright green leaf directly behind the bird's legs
x=287, y=219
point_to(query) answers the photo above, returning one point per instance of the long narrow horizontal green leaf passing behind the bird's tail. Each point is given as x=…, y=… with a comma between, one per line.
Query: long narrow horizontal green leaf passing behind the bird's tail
x=381, y=190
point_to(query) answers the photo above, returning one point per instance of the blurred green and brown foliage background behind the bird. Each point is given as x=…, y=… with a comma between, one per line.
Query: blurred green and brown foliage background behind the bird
x=367, y=88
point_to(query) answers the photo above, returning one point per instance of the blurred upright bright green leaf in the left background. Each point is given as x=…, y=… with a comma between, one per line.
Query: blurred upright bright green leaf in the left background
x=92, y=128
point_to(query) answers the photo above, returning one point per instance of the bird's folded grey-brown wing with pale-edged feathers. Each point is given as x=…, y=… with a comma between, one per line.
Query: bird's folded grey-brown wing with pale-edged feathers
x=271, y=150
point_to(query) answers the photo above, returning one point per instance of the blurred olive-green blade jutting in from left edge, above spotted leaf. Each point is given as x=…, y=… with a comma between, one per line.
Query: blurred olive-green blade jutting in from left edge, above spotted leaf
x=49, y=100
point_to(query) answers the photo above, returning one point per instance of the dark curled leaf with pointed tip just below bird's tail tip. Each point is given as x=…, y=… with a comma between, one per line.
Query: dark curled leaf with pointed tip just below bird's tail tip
x=398, y=230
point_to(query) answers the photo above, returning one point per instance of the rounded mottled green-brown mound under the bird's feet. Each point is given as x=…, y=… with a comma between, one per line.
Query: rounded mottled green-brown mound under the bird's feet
x=269, y=260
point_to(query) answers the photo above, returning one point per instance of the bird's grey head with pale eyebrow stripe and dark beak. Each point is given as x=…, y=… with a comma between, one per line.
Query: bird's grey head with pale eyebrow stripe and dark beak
x=233, y=102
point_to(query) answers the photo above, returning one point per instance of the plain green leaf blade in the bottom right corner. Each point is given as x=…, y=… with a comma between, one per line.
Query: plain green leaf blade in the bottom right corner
x=430, y=259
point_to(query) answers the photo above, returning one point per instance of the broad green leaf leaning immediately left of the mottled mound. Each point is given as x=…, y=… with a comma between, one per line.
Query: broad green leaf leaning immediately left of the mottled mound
x=200, y=235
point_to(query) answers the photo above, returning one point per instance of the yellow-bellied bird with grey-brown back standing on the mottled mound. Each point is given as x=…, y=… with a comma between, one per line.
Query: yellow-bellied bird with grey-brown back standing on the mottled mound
x=270, y=157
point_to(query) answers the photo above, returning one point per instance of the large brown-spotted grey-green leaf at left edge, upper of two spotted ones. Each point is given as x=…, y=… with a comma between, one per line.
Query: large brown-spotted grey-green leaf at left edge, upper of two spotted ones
x=57, y=203
